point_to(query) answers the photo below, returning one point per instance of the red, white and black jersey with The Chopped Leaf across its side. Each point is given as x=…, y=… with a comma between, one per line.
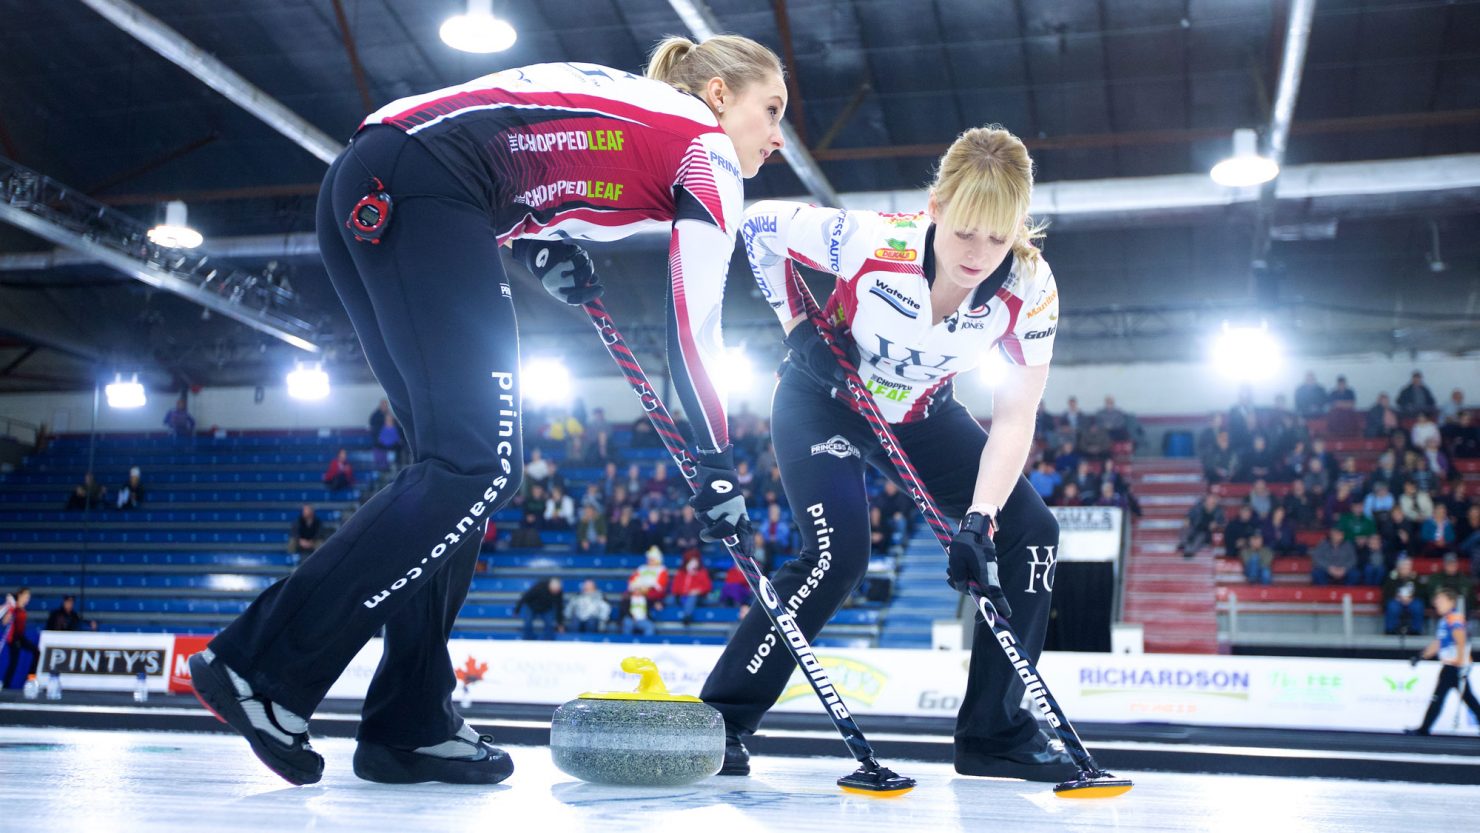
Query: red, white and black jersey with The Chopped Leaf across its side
x=590, y=153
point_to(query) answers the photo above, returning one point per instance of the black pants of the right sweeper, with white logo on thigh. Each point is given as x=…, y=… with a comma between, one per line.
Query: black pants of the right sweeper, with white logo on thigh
x=822, y=448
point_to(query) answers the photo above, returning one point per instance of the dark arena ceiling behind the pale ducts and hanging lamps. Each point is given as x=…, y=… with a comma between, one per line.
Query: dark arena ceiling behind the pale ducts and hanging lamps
x=1102, y=90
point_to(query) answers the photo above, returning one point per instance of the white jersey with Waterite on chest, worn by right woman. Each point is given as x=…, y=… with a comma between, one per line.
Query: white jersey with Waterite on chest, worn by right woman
x=884, y=269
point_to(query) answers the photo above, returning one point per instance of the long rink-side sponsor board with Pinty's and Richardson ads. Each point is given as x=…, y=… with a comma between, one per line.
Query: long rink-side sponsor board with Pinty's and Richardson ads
x=1111, y=689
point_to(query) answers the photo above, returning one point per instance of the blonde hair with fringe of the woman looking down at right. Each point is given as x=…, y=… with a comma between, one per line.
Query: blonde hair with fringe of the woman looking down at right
x=986, y=181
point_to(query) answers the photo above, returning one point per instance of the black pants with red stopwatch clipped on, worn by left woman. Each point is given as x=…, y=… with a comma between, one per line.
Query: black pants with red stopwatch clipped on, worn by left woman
x=433, y=311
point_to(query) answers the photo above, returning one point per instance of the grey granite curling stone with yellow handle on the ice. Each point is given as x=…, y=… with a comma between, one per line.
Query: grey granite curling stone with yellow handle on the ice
x=646, y=738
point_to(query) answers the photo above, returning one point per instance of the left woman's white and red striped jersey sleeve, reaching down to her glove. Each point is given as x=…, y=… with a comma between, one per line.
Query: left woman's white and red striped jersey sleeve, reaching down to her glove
x=710, y=200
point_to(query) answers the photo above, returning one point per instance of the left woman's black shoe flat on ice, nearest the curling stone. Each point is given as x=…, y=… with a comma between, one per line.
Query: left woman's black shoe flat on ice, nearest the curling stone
x=467, y=758
